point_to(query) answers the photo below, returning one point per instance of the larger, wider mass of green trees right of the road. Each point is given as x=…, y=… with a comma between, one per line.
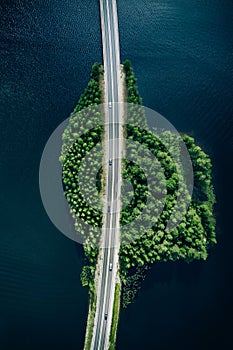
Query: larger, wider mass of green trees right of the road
x=194, y=234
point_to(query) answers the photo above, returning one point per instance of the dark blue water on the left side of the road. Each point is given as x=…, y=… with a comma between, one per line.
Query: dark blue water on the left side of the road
x=47, y=49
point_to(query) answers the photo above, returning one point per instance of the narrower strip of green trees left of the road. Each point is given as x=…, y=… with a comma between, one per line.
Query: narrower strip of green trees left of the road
x=82, y=147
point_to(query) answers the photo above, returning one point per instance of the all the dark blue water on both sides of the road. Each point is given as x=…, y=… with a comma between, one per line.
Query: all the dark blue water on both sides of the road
x=182, y=54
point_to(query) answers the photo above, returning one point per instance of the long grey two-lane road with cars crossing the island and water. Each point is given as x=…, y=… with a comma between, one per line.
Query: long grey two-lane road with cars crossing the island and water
x=113, y=153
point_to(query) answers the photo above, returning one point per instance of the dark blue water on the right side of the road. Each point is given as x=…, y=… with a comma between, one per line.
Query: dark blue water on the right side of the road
x=182, y=55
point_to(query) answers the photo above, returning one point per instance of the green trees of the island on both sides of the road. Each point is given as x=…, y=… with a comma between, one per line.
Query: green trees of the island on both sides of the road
x=189, y=240
